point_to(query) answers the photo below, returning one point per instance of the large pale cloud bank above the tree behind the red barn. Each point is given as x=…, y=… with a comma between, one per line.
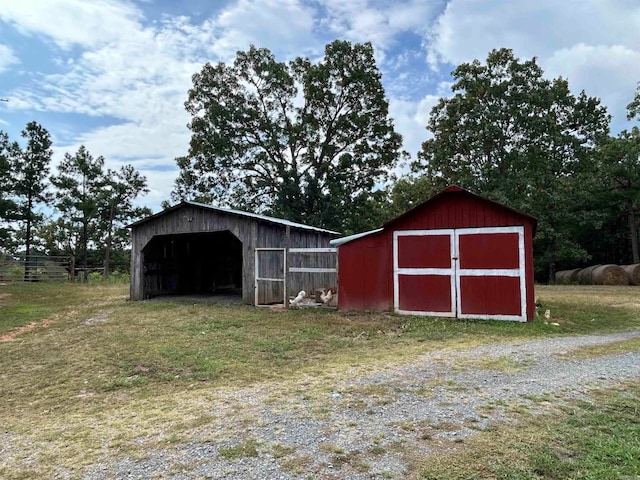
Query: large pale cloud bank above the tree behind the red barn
x=592, y=43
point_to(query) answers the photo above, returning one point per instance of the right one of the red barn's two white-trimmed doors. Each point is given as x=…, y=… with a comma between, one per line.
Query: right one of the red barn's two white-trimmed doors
x=490, y=276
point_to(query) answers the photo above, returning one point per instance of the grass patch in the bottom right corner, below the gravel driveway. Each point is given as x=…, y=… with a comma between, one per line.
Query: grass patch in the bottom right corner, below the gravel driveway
x=595, y=439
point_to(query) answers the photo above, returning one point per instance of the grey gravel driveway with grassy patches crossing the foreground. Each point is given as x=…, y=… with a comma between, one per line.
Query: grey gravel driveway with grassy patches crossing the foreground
x=360, y=425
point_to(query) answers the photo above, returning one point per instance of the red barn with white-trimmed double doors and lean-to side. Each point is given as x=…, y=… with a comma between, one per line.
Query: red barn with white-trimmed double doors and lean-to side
x=456, y=255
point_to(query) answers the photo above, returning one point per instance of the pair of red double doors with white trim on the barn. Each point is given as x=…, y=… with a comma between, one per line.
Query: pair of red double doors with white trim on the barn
x=463, y=273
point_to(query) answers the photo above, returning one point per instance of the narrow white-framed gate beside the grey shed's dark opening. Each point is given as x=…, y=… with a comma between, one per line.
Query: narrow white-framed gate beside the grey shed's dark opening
x=270, y=276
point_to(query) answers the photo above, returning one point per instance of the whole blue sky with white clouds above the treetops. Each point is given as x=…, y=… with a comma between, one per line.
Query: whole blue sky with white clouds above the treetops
x=113, y=75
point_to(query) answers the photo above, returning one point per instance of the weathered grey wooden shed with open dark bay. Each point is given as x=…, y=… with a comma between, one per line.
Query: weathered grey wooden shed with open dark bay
x=193, y=248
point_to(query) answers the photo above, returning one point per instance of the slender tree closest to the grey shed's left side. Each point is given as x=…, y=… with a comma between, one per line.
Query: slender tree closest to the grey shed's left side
x=115, y=201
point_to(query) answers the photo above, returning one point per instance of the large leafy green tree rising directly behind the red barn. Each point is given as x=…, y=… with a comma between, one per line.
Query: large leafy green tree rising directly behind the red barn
x=514, y=136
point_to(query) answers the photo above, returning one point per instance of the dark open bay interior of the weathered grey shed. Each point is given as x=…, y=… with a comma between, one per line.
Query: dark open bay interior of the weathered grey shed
x=203, y=263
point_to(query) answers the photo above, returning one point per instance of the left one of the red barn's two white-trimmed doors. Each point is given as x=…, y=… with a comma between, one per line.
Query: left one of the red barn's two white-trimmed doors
x=424, y=272
